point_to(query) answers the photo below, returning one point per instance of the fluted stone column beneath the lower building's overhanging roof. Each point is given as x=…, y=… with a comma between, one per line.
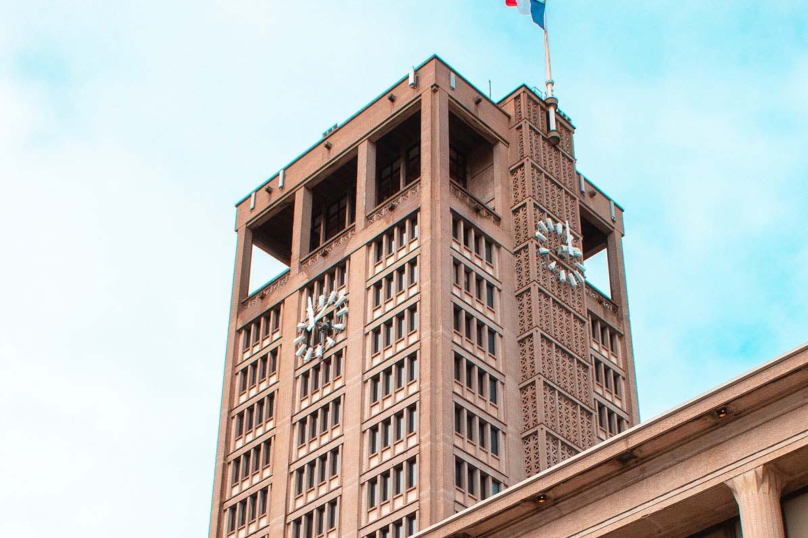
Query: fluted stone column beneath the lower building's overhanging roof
x=757, y=493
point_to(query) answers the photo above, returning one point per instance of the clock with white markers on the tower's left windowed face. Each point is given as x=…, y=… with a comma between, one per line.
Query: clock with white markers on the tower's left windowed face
x=325, y=319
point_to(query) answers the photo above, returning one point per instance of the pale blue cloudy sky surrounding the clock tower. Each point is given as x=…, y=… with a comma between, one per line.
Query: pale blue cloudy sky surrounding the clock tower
x=128, y=130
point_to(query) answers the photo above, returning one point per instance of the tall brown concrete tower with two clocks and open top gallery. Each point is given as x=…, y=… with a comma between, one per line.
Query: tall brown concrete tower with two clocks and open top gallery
x=425, y=348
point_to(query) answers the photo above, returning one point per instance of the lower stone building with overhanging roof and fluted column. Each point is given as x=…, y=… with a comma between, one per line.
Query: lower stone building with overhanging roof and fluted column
x=731, y=463
